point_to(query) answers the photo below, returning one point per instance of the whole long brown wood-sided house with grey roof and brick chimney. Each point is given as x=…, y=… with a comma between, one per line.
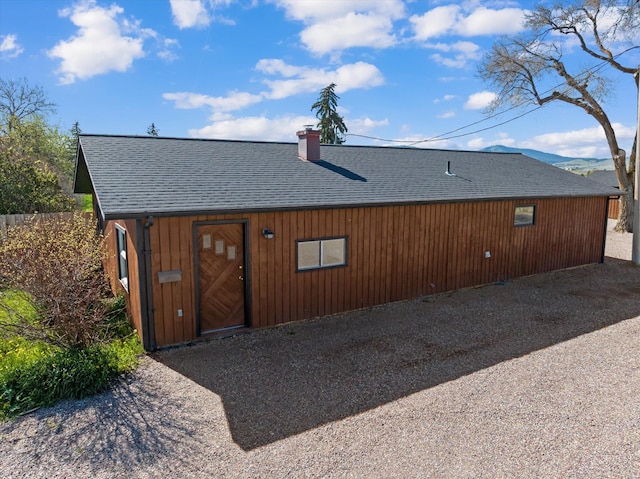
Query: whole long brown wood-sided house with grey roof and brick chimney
x=208, y=236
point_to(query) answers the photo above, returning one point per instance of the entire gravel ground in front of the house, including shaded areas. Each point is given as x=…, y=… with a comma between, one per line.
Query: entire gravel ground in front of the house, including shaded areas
x=537, y=377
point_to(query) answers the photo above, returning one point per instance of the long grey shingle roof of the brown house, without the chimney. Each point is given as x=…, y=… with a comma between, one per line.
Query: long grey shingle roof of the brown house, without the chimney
x=137, y=176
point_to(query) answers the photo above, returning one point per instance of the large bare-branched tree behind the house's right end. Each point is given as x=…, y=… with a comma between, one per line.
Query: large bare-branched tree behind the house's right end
x=532, y=69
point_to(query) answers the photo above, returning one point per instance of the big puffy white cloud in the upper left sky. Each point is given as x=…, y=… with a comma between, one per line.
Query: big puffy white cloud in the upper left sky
x=99, y=45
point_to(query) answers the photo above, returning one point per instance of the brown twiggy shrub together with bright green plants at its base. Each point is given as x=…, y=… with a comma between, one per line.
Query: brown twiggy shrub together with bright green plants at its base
x=62, y=336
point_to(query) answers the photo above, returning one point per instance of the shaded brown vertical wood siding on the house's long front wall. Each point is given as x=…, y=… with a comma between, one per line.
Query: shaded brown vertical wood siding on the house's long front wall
x=393, y=253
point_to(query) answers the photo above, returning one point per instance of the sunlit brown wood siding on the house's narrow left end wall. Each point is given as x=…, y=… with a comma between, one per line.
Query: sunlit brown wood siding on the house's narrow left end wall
x=132, y=296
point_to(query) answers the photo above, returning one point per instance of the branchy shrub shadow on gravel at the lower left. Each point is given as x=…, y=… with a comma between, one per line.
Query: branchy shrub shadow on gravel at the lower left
x=120, y=432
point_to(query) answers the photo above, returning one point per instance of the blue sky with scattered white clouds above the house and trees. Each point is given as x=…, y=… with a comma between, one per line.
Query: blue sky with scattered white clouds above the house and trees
x=251, y=69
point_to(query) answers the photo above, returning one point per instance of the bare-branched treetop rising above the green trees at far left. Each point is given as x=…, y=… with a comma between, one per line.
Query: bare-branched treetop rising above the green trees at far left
x=20, y=101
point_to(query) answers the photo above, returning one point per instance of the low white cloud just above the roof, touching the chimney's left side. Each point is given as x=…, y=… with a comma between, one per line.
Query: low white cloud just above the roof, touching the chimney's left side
x=255, y=128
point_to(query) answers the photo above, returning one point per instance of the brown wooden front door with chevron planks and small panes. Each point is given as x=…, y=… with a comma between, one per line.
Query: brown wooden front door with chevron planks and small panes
x=221, y=272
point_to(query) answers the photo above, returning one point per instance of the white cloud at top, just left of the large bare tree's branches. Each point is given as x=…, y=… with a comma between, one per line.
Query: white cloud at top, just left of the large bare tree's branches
x=458, y=20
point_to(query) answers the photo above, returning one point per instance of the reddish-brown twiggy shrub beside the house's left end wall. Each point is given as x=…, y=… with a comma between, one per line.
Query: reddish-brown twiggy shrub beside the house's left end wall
x=56, y=264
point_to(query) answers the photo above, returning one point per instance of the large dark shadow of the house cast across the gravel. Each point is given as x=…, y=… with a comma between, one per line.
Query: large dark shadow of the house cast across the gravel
x=282, y=381
